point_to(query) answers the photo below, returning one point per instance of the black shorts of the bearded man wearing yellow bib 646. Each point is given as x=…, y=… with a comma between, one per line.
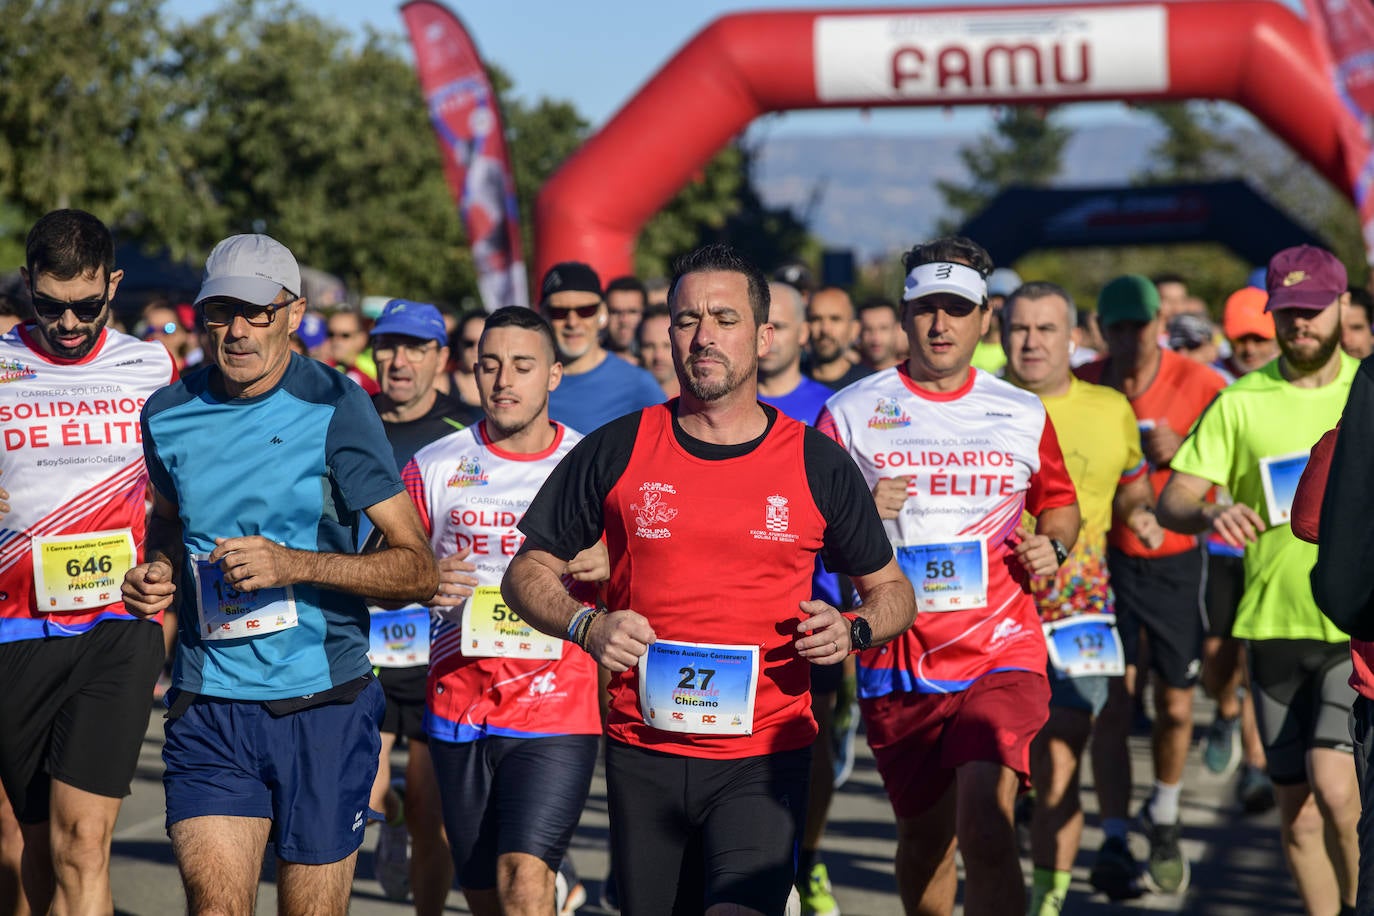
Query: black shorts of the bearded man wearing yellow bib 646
x=76, y=709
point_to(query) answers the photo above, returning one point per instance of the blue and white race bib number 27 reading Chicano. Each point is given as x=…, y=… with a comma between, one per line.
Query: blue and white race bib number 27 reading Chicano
x=699, y=689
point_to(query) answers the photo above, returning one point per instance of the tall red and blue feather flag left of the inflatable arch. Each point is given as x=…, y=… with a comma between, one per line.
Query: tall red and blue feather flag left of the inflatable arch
x=468, y=123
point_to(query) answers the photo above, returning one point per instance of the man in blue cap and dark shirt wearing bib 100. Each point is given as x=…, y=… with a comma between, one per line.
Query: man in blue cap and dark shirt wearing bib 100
x=410, y=345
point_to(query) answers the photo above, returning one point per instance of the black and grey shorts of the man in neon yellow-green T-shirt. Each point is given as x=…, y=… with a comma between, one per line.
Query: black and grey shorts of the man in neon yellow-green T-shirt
x=1302, y=701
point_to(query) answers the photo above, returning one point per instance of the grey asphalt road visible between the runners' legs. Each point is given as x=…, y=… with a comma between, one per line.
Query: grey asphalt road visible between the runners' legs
x=1237, y=862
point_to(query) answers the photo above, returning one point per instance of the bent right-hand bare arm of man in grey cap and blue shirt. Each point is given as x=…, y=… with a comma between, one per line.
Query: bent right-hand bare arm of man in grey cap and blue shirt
x=405, y=571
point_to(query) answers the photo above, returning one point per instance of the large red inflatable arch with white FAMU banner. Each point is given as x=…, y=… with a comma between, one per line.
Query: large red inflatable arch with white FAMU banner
x=1254, y=53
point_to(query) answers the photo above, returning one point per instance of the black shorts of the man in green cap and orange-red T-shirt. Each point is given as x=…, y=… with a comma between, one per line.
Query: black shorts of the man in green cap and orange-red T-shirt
x=1164, y=598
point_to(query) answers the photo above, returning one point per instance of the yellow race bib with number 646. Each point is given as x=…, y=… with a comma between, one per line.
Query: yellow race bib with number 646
x=82, y=572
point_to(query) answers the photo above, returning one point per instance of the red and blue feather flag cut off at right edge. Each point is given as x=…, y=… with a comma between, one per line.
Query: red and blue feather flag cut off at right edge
x=1346, y=34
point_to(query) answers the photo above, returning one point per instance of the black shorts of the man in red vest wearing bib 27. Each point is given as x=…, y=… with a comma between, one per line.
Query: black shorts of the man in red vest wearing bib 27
x=689, y=833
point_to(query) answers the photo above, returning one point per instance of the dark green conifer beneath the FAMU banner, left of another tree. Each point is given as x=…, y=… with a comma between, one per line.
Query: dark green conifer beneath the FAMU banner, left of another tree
x=1026, y=149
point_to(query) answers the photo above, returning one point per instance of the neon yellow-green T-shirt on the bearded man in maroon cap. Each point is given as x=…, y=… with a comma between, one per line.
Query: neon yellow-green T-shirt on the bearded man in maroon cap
x=1252, y=424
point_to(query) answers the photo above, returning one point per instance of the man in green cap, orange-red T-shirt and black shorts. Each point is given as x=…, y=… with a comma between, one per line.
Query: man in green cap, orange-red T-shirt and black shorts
x=1158, y=591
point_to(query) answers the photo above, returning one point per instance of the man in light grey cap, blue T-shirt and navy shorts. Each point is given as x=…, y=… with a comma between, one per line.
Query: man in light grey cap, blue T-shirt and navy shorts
x=260, y=468
